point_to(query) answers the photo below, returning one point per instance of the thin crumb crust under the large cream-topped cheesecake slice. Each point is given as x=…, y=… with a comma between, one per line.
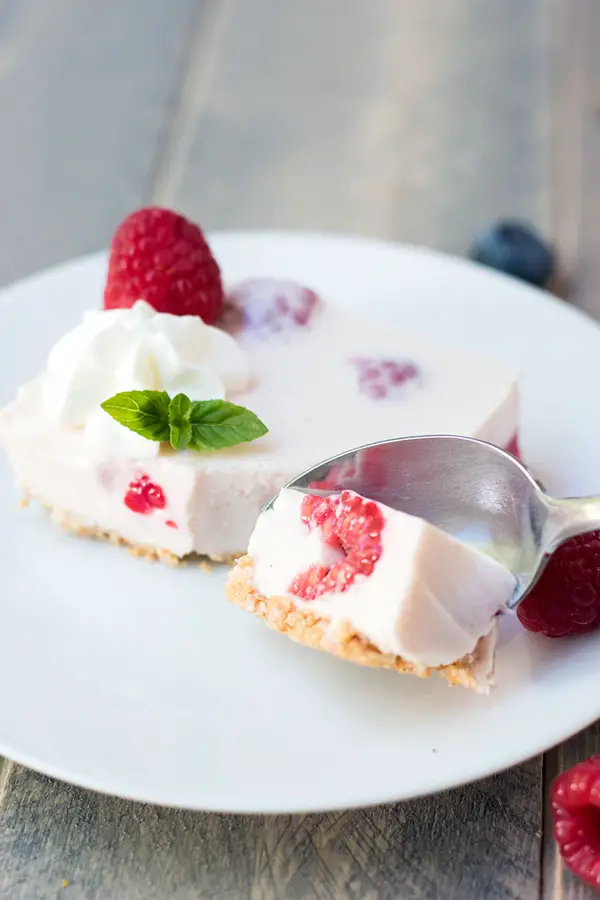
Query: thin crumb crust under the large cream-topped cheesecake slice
x=74, y=525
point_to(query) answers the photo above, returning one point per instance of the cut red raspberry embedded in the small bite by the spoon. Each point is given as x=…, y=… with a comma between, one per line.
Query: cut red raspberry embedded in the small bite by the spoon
x=349, y=523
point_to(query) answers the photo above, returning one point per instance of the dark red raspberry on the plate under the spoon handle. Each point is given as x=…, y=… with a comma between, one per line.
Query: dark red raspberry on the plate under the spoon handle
x=566, y=599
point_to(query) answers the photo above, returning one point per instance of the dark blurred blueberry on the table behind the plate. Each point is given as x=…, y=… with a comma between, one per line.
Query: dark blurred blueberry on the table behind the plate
x=516, y=249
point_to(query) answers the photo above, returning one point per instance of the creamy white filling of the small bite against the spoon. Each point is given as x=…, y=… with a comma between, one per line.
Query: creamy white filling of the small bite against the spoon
x=429, y=599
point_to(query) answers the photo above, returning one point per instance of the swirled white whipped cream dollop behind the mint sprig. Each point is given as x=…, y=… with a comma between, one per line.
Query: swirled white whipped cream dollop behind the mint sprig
x=136, y=349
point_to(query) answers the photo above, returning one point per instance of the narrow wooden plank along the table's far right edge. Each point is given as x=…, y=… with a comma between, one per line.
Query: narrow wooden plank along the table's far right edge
x=576, y=232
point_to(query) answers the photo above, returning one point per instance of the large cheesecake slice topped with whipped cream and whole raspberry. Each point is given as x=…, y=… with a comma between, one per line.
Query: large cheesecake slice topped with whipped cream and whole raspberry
x=321, y=382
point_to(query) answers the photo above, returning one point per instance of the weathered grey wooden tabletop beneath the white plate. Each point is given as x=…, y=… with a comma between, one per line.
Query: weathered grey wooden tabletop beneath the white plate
x=419, y=120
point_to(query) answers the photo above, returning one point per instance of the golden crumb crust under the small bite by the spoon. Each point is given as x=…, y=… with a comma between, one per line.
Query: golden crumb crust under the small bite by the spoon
x=281, y=614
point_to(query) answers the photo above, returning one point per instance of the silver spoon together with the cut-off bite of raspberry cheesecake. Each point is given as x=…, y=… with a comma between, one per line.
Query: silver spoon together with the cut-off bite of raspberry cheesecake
x=403, y=554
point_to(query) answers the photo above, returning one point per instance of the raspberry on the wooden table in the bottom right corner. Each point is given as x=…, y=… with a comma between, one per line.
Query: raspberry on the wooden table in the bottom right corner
x=575, y=803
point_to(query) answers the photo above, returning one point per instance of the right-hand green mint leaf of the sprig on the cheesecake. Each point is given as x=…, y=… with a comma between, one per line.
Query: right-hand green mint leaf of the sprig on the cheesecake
x=217, y=424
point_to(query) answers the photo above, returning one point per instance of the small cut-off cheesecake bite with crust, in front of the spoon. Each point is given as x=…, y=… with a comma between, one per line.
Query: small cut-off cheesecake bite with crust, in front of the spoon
x=374, y=586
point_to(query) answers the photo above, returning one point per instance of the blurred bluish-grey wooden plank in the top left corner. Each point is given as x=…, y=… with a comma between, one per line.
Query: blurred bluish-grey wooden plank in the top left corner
x=85, y=96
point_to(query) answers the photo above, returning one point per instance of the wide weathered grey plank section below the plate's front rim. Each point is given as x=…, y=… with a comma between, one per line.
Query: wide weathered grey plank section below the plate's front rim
x=109, y=848
